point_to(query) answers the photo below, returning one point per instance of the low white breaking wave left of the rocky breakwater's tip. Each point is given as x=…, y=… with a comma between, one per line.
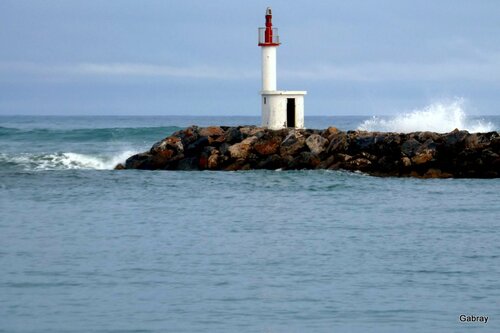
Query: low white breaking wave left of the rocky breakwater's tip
x=63, y=161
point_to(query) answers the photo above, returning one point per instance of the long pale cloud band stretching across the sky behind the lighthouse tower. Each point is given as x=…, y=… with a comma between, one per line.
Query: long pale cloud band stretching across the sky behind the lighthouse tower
x=486, y=69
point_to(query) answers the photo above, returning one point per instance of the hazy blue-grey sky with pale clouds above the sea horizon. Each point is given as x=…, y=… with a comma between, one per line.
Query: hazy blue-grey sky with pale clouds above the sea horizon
x=200, y=57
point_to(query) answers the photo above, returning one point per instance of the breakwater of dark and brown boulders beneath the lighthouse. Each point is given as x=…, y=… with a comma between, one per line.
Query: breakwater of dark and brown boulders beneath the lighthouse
x=418, y=154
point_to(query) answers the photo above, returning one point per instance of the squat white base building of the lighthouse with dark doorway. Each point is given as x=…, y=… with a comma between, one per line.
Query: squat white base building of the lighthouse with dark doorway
x=282, y=109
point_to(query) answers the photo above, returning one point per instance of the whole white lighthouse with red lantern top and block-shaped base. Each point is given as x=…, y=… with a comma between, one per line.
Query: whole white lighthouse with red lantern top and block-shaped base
x=280, y=108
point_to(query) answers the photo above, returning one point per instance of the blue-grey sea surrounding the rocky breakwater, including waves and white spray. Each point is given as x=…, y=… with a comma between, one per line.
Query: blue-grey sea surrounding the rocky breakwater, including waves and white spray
x=84, y=248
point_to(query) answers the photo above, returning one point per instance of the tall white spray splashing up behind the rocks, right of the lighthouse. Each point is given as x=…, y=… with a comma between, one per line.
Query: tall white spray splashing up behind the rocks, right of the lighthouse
x=438, y=117
